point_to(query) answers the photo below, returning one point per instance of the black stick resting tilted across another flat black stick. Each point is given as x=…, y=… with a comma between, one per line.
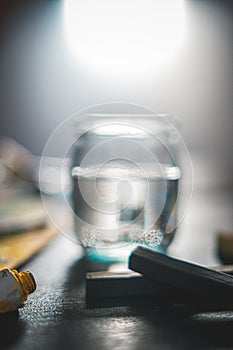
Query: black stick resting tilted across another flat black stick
x=210, y=285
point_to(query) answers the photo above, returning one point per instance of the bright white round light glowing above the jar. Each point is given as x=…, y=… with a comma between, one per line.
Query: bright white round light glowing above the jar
x=124, y=36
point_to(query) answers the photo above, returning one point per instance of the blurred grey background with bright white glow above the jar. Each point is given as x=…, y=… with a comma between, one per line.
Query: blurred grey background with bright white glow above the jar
x=58, y=57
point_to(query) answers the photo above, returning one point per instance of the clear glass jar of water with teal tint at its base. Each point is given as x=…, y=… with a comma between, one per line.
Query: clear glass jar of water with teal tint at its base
x=125, y=176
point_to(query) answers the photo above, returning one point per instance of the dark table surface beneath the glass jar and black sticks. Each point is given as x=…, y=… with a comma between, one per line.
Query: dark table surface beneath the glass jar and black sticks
x=57, y=316
